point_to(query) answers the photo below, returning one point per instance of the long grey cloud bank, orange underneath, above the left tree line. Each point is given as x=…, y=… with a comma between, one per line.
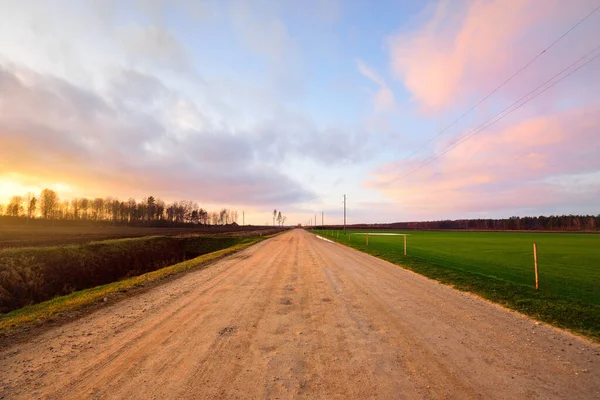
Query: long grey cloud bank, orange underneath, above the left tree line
x=135, y=135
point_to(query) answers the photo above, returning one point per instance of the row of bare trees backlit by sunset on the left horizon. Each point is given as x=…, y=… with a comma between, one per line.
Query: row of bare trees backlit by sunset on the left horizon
x=148, y=211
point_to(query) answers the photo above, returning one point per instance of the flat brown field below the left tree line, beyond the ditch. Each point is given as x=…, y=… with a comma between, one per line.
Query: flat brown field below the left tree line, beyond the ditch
x=39, y=235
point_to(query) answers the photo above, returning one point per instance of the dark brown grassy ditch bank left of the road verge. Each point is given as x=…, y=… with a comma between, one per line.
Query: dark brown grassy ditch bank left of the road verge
x=30, y=275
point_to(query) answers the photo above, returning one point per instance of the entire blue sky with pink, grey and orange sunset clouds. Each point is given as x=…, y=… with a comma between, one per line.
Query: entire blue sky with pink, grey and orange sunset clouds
x=261, y=105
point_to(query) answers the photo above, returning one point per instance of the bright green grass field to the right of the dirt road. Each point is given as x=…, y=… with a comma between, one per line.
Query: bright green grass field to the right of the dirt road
x=499, y=267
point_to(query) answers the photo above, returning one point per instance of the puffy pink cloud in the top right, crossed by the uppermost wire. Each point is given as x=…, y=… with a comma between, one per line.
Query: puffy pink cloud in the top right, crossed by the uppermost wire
x=467, y=48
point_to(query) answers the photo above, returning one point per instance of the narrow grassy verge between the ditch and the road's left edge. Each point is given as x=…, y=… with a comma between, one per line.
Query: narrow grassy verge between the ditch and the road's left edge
x=48, y=310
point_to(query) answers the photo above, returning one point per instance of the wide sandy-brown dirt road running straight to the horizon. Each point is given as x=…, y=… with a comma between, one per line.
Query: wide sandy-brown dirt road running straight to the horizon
x=298, y=317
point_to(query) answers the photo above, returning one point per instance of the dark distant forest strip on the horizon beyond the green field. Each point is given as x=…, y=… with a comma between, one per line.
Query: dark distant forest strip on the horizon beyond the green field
x=541, y=223
